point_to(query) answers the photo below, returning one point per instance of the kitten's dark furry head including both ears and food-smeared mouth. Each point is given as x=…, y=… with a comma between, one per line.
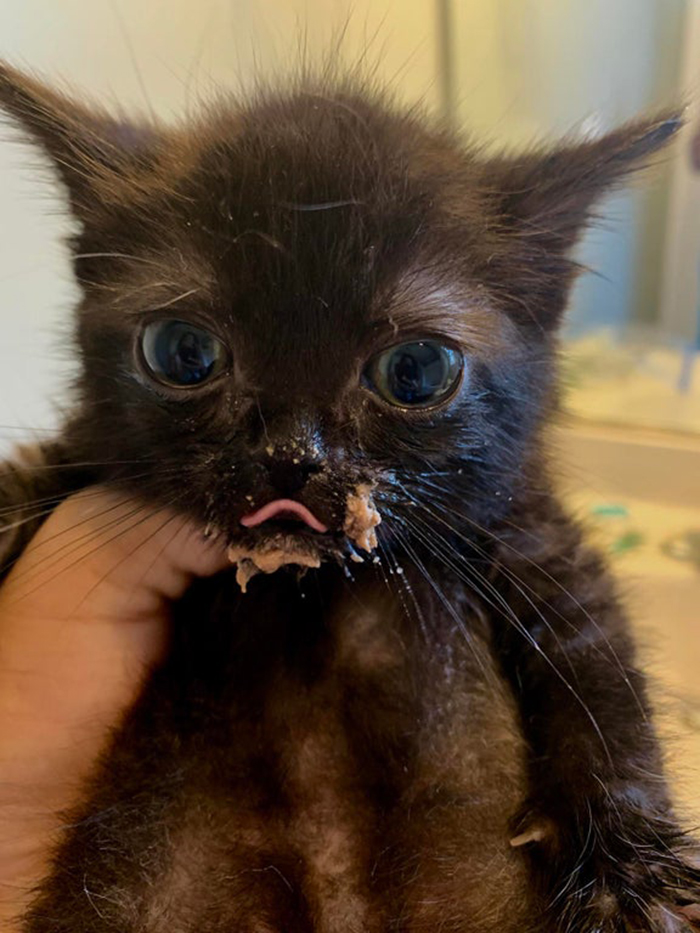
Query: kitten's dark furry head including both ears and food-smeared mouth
x=300, y=308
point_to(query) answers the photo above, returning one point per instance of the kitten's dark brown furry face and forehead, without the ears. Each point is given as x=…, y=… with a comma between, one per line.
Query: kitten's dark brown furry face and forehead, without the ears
x=299, y=316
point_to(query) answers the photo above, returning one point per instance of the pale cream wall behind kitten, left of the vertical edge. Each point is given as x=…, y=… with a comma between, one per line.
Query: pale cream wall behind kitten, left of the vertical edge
x=160, y=54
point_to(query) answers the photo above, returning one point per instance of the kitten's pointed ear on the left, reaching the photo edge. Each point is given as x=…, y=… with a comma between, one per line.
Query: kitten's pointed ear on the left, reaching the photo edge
x=93, y=152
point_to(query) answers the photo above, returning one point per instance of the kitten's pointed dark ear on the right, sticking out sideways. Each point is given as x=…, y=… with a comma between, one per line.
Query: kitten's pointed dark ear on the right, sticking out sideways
x=542, y=203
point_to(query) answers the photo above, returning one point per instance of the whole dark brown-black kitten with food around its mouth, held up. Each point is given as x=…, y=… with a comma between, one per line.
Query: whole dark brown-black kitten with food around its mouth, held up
x=301, y=316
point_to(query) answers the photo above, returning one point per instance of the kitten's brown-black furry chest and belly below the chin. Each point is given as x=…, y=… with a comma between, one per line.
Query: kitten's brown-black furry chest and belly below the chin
x=331, y=765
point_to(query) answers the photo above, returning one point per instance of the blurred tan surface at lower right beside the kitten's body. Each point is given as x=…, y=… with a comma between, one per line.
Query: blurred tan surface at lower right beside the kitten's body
x=639, y=492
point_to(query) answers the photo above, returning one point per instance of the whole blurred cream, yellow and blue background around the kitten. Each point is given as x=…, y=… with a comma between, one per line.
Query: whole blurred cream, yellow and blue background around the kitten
x=510, y=74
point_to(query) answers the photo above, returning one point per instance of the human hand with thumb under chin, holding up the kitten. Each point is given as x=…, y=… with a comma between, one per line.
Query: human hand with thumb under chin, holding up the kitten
x=83, y=618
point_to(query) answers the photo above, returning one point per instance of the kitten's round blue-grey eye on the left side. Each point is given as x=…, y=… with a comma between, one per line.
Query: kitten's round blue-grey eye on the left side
x=180, y=354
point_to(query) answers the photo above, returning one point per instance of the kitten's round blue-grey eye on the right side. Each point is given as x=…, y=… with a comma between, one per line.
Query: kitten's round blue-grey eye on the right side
x=416, y=375
